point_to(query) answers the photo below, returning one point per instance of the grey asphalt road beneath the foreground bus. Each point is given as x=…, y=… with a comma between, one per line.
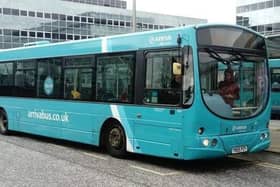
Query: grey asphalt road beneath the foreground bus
x=27, y=160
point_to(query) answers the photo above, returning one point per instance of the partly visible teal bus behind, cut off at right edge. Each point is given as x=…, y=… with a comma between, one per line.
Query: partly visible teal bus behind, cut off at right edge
x=273, y=45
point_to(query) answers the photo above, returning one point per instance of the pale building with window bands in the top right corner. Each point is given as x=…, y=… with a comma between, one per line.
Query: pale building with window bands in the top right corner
x=260, y=15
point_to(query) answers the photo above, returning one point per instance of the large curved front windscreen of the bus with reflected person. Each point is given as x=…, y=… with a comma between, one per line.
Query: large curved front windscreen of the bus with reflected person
x=243, y=94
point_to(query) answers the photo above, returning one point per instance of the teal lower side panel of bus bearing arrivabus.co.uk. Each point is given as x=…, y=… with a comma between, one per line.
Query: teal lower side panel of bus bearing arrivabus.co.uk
x=64, y=120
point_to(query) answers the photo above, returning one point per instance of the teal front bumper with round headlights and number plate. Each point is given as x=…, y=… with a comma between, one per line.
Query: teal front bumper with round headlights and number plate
x=227, y=145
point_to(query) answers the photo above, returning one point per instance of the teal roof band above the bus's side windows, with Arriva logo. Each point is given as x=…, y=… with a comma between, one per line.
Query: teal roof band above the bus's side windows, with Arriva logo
x=110, y=44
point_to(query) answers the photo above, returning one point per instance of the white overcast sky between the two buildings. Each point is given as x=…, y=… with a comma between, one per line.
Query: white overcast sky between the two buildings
x=215, y=11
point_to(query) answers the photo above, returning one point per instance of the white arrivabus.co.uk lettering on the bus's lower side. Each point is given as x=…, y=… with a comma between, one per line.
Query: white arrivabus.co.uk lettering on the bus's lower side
x=42, y=115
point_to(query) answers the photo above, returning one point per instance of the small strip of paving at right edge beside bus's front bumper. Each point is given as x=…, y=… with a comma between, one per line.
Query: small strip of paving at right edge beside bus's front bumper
x=275, y=136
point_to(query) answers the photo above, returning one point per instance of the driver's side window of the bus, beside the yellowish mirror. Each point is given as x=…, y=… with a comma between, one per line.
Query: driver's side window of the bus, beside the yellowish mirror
x=161, y=86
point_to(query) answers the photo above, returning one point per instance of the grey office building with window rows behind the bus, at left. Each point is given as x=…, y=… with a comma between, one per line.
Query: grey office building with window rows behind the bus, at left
x=25, y=21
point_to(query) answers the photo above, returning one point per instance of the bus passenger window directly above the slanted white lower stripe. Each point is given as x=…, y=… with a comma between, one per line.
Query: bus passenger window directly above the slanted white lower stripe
x=114, y=78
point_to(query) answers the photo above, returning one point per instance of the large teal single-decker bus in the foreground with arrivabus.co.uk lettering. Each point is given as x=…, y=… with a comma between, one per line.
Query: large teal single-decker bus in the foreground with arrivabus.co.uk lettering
x=153, y=93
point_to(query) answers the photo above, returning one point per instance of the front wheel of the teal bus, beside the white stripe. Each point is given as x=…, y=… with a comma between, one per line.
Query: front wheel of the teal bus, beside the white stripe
x=115, y=140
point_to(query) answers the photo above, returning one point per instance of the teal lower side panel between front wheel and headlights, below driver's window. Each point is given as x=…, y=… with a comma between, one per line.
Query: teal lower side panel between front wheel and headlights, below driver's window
x=158, y=132
